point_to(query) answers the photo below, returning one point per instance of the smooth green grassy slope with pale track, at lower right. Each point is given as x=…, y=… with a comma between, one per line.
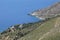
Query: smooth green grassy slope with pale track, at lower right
x=49, y=30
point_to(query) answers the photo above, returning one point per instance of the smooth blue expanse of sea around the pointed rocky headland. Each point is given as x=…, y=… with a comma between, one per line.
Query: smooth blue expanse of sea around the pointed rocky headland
x=15, y=11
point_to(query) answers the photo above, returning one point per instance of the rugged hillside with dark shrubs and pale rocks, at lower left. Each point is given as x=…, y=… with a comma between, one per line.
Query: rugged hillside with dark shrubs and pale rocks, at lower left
x=15, y=32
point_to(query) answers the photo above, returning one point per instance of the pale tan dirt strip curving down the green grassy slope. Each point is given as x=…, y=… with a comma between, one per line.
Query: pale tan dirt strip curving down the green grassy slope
x=56, y=26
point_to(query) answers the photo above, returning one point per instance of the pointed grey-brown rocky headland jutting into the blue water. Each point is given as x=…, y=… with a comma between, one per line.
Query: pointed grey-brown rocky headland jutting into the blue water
x=49, y=12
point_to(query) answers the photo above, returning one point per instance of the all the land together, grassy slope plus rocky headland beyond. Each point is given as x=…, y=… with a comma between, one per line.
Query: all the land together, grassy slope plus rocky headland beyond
x=47, y=29
